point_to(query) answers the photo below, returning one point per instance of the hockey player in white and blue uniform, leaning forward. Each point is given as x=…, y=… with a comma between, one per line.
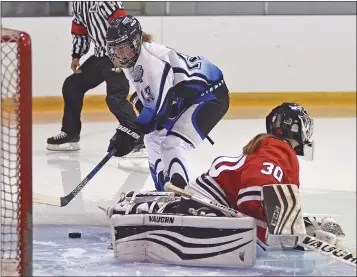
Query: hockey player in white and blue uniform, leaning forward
x=182, y=98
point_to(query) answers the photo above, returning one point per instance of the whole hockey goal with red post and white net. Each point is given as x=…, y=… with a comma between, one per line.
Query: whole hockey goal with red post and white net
x=16, y=154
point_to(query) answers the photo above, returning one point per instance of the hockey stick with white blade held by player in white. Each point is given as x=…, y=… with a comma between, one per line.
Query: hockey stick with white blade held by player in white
x=63, y=201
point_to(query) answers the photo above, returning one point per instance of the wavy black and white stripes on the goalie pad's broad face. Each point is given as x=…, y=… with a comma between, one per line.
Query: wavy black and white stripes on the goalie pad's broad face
x=188, y=243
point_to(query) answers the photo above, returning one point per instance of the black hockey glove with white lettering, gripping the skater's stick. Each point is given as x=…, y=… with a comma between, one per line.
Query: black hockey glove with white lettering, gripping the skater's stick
x=126, y=137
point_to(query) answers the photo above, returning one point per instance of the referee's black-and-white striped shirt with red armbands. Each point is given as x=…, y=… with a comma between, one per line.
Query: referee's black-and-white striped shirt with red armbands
x=90, y=23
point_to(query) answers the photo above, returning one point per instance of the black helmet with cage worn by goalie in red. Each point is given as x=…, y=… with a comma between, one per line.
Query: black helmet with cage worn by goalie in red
x=291, y=121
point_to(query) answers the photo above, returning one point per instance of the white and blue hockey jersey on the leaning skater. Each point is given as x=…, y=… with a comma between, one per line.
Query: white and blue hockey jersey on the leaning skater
x=161, y=72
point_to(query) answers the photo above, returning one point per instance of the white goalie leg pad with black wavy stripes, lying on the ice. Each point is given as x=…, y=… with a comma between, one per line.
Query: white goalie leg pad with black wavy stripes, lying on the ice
x=184, y=240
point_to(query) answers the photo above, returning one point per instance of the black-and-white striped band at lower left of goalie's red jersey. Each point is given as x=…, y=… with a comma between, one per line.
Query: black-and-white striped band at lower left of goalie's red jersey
x=210, y=186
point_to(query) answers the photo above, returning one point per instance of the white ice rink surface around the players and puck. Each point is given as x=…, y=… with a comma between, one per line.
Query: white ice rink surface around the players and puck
x=328, y=188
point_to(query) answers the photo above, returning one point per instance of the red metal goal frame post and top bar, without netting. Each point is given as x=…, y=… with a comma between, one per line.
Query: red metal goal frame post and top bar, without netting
x=24, y=136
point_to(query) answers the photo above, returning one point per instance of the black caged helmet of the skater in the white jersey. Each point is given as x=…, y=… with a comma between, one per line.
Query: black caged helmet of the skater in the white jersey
x=124, y=40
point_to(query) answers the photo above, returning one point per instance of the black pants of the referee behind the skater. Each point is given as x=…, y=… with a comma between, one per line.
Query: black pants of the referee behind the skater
x=95, y=70
